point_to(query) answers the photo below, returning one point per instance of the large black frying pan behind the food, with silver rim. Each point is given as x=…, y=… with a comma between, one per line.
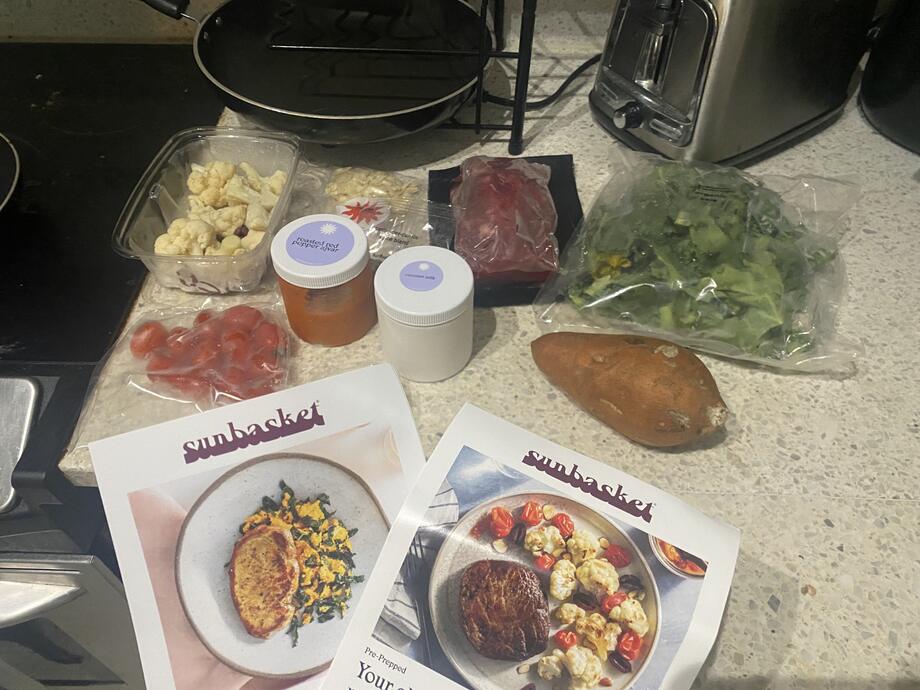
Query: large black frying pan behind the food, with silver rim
x=336, y=96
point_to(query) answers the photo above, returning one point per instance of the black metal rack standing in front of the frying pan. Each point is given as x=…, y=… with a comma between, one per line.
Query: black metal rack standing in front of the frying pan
x=484, y=52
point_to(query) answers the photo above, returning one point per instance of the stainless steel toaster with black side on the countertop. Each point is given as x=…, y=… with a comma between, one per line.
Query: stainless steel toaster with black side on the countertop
x=727, y=80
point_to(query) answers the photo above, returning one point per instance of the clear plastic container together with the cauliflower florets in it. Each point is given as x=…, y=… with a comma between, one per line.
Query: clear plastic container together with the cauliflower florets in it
x=210, y=252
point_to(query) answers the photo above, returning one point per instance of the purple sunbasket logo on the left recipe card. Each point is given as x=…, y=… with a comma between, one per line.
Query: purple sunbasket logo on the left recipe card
x=281, y=425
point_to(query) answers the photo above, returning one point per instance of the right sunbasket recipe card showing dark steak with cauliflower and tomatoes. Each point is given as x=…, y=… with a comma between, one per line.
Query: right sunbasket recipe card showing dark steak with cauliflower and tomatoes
x=516, y=563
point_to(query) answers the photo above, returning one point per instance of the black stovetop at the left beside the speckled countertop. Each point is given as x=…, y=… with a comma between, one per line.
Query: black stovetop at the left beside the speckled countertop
x=86, y=120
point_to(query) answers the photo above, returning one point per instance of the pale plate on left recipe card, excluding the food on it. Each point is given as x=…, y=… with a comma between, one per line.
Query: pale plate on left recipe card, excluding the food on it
x=206, y=542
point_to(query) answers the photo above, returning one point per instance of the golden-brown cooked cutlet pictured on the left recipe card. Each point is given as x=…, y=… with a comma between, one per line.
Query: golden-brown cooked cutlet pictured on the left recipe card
x=263, y=578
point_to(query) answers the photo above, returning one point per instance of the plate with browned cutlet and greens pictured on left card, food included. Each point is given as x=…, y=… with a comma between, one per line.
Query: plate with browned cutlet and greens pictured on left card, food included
x=301, y=528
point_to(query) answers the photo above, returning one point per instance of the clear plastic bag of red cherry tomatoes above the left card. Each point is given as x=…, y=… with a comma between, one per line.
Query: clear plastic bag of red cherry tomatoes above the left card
x=175, y=362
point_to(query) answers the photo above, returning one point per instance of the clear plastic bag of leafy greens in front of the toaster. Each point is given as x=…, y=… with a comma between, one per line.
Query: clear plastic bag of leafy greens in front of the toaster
x=714, y=259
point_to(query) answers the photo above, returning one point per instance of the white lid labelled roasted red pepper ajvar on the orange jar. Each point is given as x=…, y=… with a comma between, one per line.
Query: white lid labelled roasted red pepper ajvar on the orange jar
x=319, y=251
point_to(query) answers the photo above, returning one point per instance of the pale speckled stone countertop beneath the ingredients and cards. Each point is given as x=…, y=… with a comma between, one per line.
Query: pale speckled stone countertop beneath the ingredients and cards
x=821, y=475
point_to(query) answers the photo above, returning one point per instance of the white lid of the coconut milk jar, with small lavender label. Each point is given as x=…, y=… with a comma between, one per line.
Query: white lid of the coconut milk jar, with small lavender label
x=424, y=286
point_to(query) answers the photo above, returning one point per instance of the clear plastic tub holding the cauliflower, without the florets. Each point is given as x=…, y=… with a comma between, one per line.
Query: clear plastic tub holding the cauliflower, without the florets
x=161, y=196
